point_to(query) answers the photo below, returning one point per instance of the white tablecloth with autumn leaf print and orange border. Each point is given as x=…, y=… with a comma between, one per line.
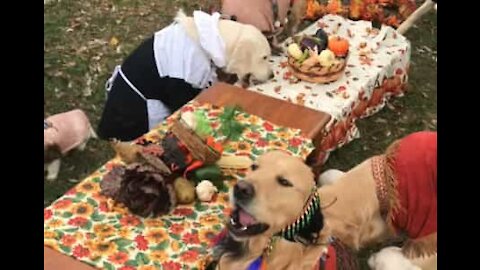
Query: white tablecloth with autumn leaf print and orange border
x=377, y=68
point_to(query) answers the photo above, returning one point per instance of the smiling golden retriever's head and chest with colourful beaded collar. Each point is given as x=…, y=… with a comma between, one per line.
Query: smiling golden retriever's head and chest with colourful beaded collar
x=276, y=218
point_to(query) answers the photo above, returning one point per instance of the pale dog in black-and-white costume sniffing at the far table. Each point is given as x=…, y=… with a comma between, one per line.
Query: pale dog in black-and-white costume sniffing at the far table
x=174, y=65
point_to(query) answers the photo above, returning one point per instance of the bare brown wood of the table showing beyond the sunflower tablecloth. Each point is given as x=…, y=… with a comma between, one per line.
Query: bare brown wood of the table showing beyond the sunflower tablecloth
x=279, y=112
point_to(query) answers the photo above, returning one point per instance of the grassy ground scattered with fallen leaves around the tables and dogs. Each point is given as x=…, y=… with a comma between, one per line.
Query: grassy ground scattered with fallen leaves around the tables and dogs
x=78, y=58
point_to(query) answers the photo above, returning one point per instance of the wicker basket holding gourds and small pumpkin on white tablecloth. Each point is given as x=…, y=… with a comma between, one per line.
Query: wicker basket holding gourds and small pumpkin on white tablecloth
x=317, y=73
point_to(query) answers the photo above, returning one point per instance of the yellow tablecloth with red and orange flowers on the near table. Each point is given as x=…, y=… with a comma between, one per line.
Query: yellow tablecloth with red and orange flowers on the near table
x=93, y=229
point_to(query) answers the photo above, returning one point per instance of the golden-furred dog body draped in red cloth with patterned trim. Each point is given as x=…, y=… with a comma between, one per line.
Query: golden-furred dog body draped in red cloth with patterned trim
x=387, y=195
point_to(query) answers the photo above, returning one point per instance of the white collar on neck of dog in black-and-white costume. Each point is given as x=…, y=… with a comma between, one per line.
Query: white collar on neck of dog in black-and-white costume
x=209, y=36
